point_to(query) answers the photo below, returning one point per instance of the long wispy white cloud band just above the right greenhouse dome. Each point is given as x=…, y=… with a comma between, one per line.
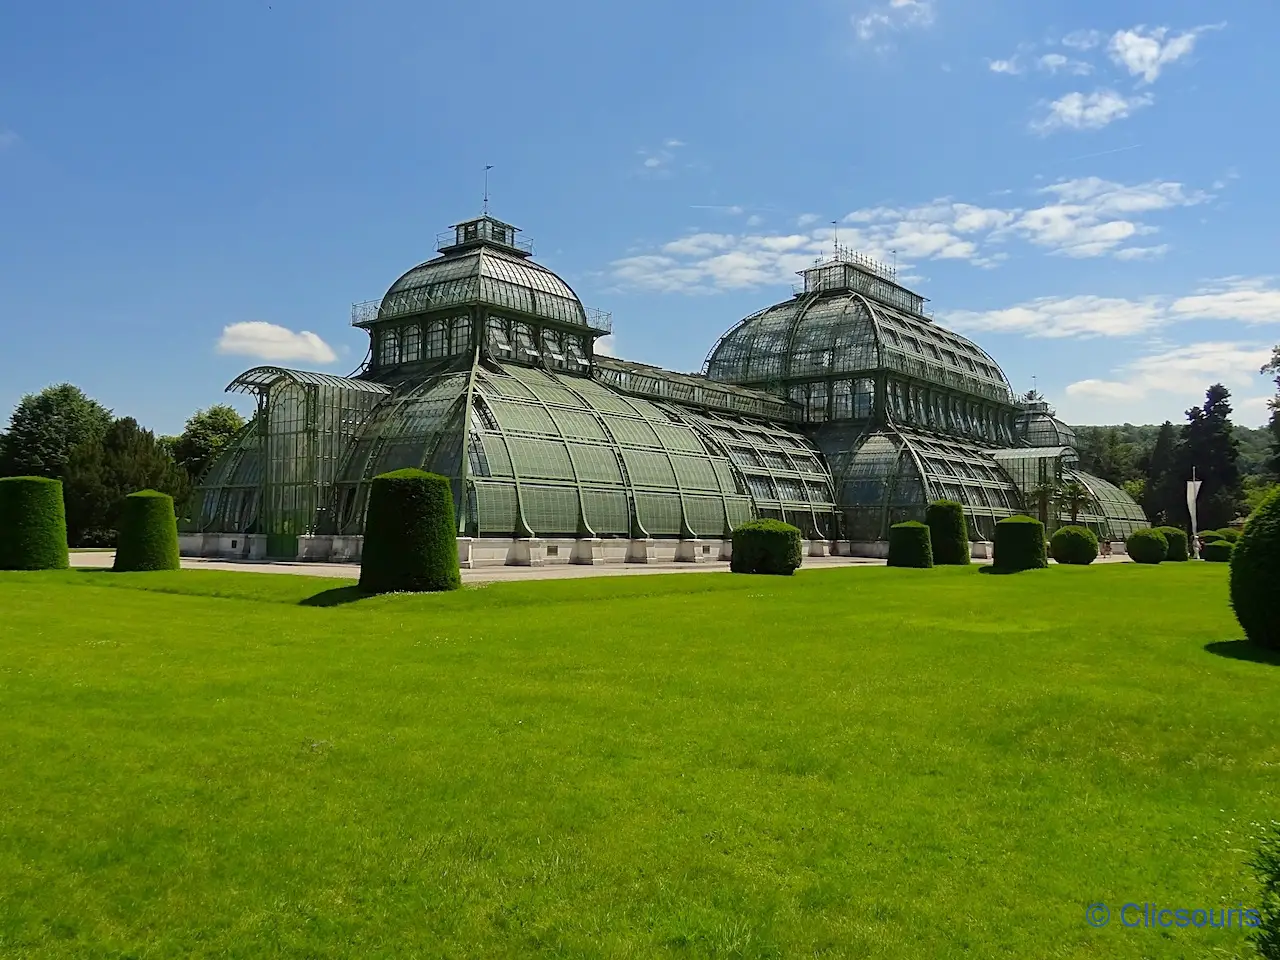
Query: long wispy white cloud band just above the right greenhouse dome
x=1078, y=218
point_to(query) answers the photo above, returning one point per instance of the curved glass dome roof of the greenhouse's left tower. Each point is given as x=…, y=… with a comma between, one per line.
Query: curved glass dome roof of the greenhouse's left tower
x=484, y=275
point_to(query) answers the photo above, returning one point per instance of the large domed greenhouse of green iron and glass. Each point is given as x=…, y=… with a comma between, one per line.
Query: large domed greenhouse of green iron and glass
x=843, y=410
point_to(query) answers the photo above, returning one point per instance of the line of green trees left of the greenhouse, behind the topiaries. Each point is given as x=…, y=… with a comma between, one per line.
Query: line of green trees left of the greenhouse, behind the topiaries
x=65, y=435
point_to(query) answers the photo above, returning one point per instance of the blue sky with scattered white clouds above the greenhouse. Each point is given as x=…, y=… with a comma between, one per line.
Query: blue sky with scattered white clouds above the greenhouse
x=1087, y=190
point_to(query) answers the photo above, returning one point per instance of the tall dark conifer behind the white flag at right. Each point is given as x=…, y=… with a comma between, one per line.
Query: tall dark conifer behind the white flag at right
x=1210, y=449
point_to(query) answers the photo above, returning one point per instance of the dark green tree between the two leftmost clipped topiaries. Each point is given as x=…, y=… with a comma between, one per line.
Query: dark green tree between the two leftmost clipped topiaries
x=102, y=473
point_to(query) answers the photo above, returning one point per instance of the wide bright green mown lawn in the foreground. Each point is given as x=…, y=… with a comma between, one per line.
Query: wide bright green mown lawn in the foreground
x=874, y=762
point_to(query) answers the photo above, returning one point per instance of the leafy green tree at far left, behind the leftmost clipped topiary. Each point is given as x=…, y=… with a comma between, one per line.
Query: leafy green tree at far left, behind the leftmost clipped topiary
x=47, y=427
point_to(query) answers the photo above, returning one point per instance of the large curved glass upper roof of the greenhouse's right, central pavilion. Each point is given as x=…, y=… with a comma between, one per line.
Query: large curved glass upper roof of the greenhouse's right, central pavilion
x=847, y=332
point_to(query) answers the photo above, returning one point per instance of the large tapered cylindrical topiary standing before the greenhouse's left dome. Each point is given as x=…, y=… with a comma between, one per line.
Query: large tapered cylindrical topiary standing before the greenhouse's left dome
x=410, y=536
